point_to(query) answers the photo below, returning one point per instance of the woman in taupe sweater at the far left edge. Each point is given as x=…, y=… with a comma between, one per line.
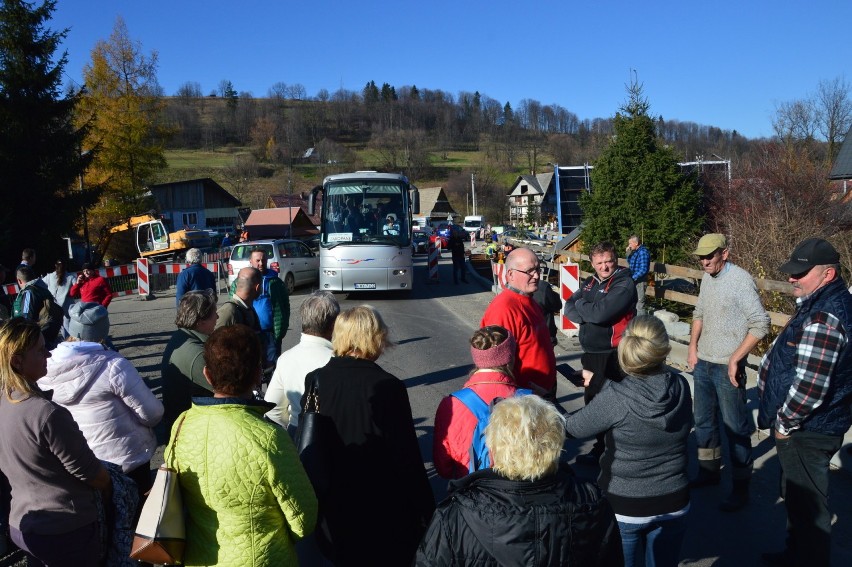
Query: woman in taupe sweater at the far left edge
x=54, y=476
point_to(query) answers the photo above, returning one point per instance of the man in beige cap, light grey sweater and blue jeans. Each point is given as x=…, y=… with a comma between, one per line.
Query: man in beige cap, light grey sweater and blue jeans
x=727, y=324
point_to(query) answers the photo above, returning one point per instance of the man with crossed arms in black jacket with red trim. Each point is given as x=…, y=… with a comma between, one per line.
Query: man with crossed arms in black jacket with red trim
x=602, y=307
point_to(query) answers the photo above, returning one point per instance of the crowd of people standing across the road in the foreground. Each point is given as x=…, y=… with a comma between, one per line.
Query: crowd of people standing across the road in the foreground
x=79, y=418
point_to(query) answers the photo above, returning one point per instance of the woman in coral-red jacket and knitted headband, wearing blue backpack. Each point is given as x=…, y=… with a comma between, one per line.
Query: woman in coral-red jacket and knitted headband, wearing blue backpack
x=493, y=352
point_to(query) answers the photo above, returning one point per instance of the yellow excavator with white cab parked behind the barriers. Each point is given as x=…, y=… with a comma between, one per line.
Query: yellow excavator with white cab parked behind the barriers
x=146, y=236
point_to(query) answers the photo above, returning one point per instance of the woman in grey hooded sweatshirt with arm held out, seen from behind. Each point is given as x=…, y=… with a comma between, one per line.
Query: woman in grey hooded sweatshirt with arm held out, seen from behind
x=646, y=417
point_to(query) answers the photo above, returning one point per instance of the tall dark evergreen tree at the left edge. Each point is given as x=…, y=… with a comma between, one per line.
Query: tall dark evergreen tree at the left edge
x=40, y=161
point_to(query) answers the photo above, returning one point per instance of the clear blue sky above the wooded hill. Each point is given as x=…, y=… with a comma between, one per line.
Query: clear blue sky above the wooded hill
x=724, y=63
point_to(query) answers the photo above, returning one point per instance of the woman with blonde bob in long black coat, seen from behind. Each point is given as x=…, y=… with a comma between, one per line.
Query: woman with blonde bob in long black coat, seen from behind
x=379, y=499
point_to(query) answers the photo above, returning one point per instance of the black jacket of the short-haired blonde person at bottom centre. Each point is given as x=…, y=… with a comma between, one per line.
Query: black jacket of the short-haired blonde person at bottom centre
x=489, y=520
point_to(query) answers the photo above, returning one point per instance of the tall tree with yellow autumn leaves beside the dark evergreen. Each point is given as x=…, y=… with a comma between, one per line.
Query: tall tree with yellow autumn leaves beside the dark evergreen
x=122, y=105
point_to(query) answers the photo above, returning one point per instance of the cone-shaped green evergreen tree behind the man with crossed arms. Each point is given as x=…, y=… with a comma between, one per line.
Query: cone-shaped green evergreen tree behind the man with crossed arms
x=638, y=188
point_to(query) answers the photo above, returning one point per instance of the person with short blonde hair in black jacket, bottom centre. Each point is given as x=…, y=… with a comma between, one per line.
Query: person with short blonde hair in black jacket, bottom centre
x=526, y=509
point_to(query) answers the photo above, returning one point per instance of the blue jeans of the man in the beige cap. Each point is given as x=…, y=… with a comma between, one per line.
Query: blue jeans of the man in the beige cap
x=715, y=393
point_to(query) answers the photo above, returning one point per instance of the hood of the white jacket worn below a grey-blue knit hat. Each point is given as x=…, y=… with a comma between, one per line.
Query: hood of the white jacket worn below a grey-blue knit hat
x=73, y=367
